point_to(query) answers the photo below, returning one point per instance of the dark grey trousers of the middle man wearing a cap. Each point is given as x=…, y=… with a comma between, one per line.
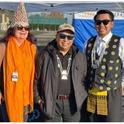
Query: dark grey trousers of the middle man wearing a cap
x=65, y=111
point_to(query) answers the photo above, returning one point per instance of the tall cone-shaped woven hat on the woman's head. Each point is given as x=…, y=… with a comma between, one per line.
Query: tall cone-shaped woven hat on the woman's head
x=20, y=18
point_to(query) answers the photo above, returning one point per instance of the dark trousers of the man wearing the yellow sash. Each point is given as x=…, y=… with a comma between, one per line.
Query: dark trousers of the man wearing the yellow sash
x=114, y=109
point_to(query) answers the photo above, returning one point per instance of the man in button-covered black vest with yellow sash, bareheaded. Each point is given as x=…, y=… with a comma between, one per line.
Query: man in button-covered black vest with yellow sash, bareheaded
x=105, y=57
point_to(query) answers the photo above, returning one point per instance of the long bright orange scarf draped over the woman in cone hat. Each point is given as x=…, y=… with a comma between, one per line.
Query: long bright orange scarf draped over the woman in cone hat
x=19, y=93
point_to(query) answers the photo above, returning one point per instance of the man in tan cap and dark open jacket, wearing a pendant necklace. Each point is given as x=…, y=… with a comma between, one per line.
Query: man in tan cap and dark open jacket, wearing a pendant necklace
x=61, y=71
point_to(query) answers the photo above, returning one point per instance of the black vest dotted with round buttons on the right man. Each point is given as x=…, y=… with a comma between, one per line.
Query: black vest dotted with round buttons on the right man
x=108, y=75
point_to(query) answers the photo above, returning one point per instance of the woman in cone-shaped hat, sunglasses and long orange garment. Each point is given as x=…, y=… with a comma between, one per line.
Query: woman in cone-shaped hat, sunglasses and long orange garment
x=19, y=67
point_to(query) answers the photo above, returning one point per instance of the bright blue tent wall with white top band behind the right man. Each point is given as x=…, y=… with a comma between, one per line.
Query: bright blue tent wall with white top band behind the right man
x=85, y=28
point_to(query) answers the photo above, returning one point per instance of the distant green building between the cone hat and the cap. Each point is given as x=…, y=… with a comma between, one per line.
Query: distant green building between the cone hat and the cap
x=46, y=21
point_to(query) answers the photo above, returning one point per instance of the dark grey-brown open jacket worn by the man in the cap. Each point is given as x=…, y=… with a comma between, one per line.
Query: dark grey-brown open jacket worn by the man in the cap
x=47, y=76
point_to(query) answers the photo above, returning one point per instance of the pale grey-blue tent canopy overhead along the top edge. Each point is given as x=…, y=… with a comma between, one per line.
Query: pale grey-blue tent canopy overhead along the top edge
x=79, y=6
